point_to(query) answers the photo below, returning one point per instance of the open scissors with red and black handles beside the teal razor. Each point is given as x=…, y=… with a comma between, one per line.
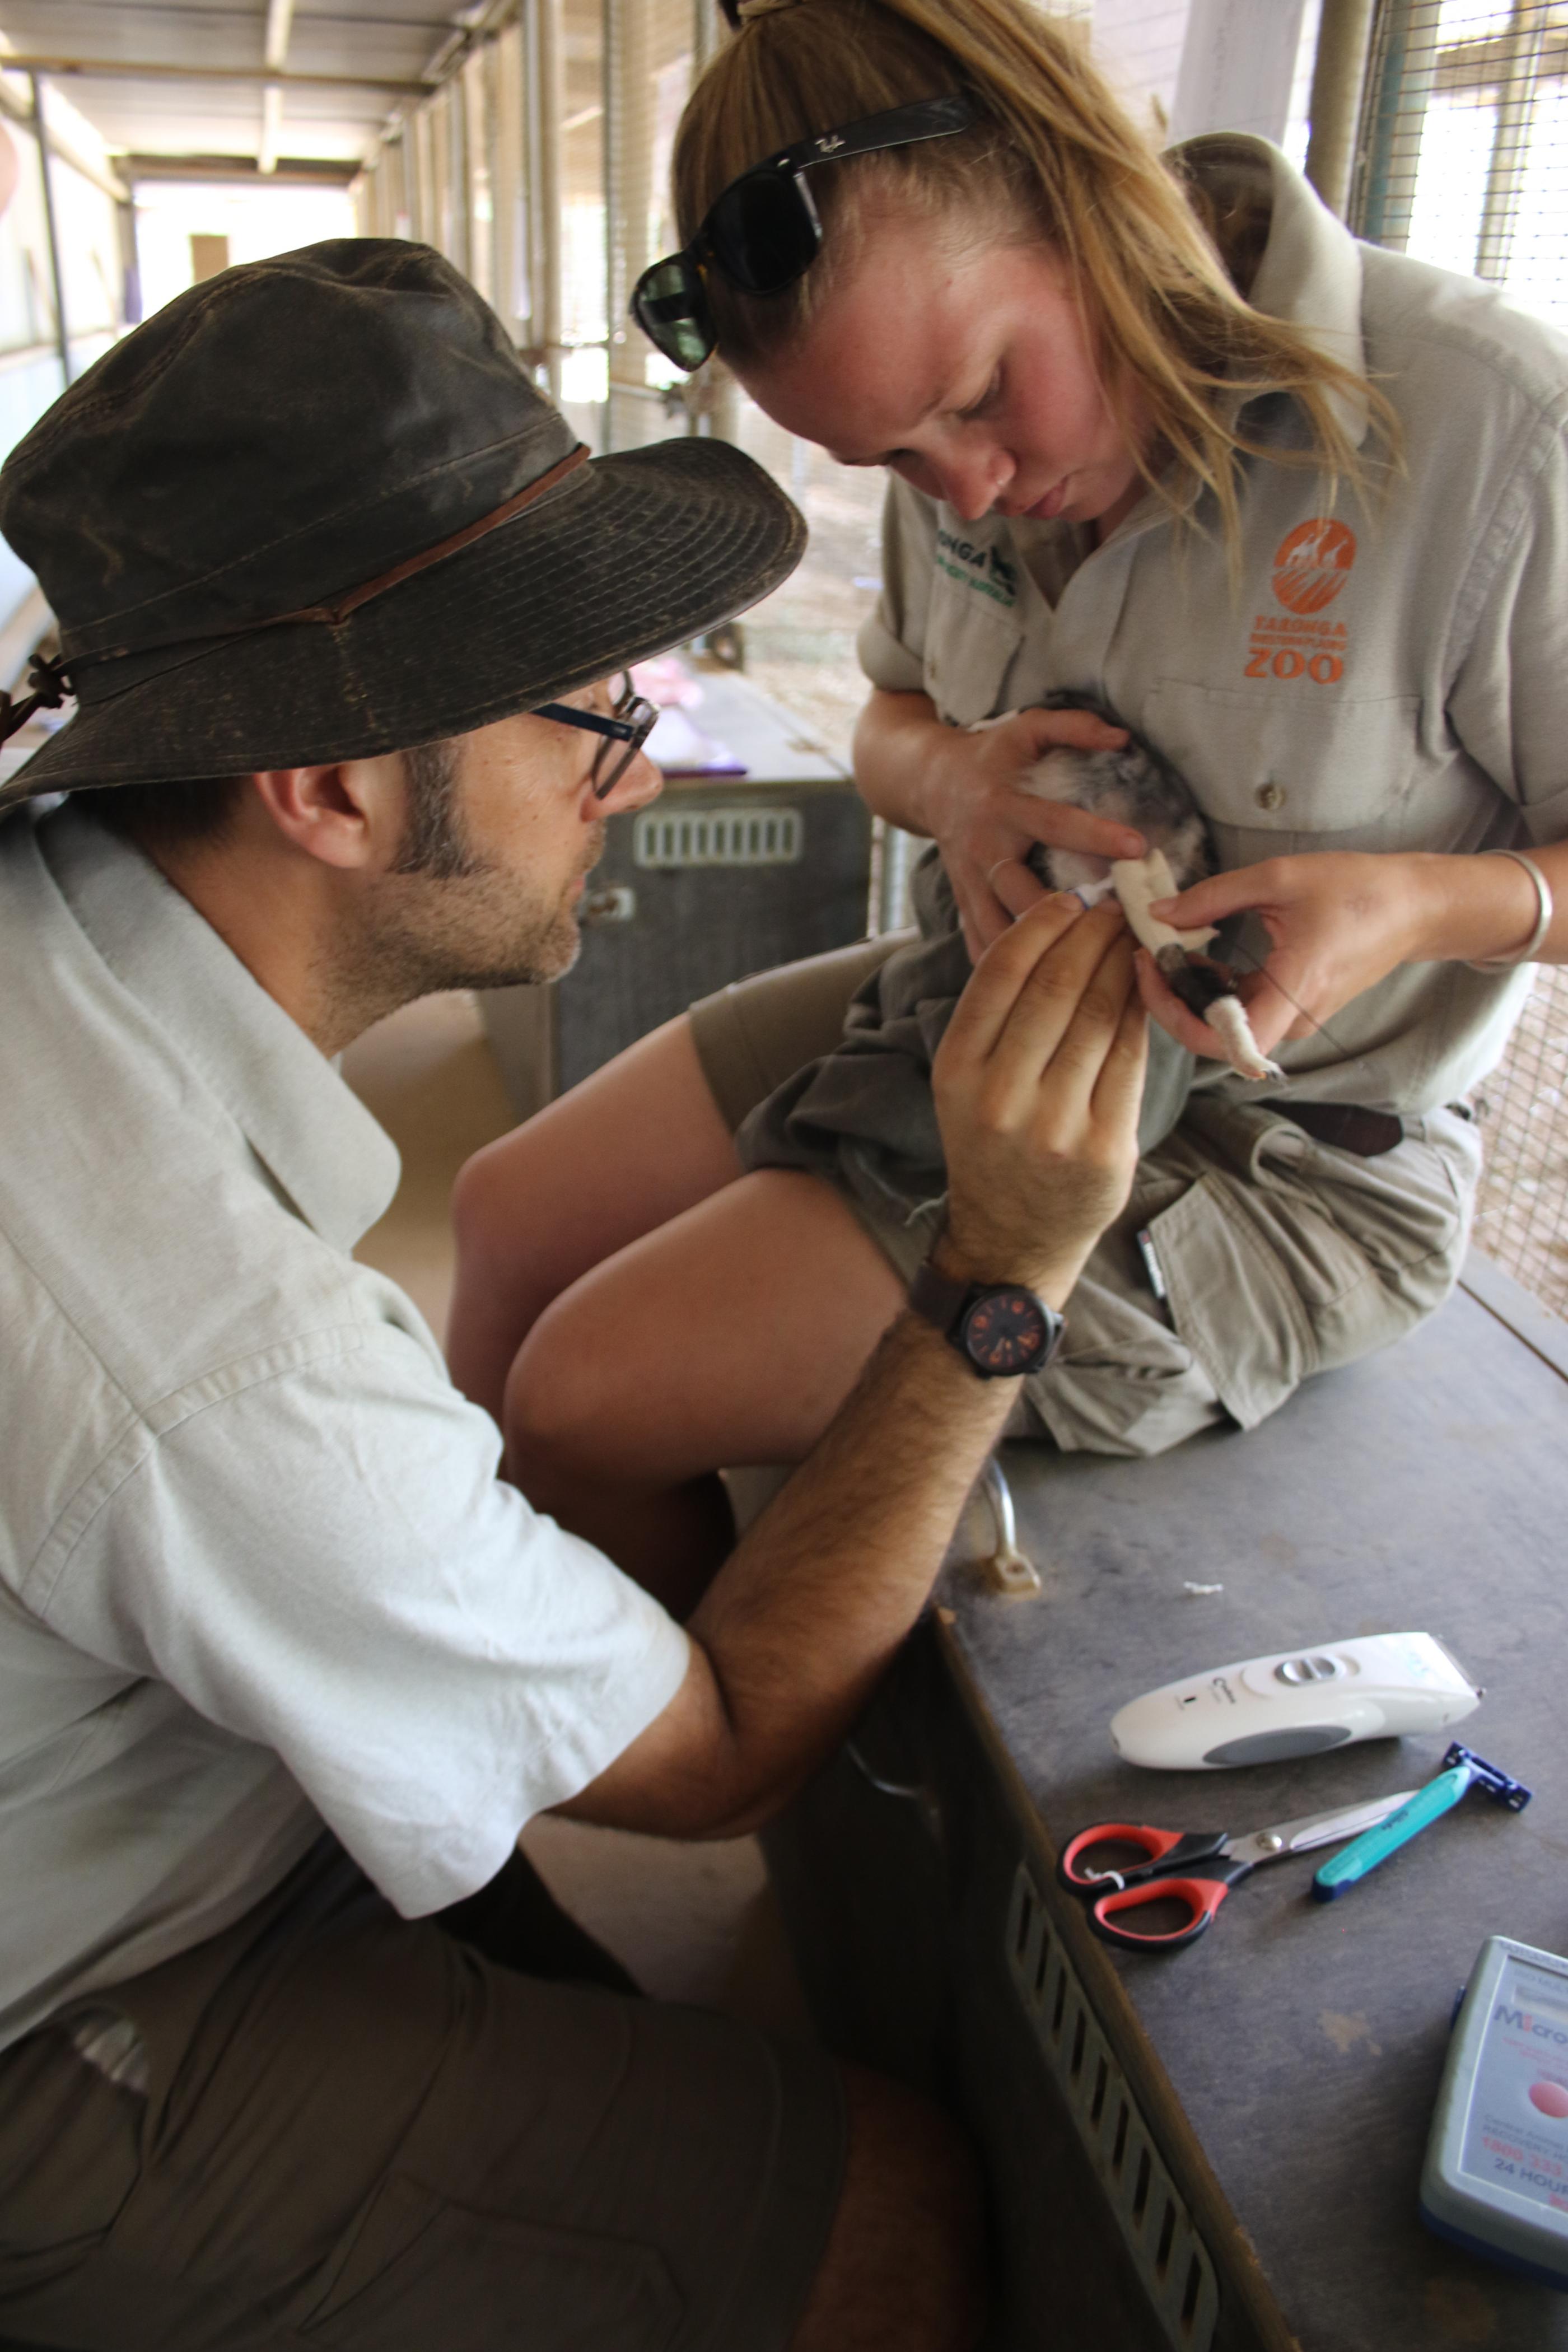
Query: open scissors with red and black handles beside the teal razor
x=1193, y=1869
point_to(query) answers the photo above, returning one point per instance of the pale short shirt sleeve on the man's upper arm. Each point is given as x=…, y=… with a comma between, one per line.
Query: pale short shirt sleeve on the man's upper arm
x=328, y=1565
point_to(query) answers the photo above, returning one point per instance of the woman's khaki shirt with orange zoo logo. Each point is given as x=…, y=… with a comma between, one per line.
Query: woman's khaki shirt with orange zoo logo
x=1388, y=676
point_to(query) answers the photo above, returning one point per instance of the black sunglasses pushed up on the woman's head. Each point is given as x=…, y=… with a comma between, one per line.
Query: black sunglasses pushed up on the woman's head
x=765, y=232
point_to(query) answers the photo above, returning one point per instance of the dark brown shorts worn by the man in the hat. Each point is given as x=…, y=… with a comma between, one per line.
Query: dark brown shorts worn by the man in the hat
x=366, y=2132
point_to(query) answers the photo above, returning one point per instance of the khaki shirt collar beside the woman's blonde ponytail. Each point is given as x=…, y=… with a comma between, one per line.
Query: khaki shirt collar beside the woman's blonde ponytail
x=1311, y=269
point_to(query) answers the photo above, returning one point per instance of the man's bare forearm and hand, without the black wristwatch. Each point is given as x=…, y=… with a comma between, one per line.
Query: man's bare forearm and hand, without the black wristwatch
x=1038, y=1085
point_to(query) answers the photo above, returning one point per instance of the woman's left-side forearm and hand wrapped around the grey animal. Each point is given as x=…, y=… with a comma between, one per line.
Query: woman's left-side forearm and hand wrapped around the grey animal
x=963, y=791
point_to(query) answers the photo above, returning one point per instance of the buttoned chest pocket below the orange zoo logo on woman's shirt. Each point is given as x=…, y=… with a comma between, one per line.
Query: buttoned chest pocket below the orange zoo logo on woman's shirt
x=1282, y=773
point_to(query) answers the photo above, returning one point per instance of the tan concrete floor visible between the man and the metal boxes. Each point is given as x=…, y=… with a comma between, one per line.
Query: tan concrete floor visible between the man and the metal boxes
x=690, y=1923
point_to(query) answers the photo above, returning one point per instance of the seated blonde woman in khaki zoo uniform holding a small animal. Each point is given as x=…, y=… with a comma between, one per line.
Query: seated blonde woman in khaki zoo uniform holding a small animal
x=1170, y=446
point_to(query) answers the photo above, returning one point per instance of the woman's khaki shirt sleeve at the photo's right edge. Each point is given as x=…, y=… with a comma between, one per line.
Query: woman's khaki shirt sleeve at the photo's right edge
x=1510, y=695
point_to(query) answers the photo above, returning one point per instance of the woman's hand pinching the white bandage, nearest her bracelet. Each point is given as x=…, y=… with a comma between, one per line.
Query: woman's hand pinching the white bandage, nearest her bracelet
x=1339, y=923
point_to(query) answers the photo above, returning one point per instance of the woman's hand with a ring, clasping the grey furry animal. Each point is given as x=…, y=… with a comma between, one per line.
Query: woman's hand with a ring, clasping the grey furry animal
x=986, y=827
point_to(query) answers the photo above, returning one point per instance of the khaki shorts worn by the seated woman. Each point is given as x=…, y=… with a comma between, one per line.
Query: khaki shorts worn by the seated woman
x=1278, y=1257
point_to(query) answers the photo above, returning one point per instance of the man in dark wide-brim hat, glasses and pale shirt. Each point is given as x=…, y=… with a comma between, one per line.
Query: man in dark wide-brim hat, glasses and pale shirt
x=293, y=2045
